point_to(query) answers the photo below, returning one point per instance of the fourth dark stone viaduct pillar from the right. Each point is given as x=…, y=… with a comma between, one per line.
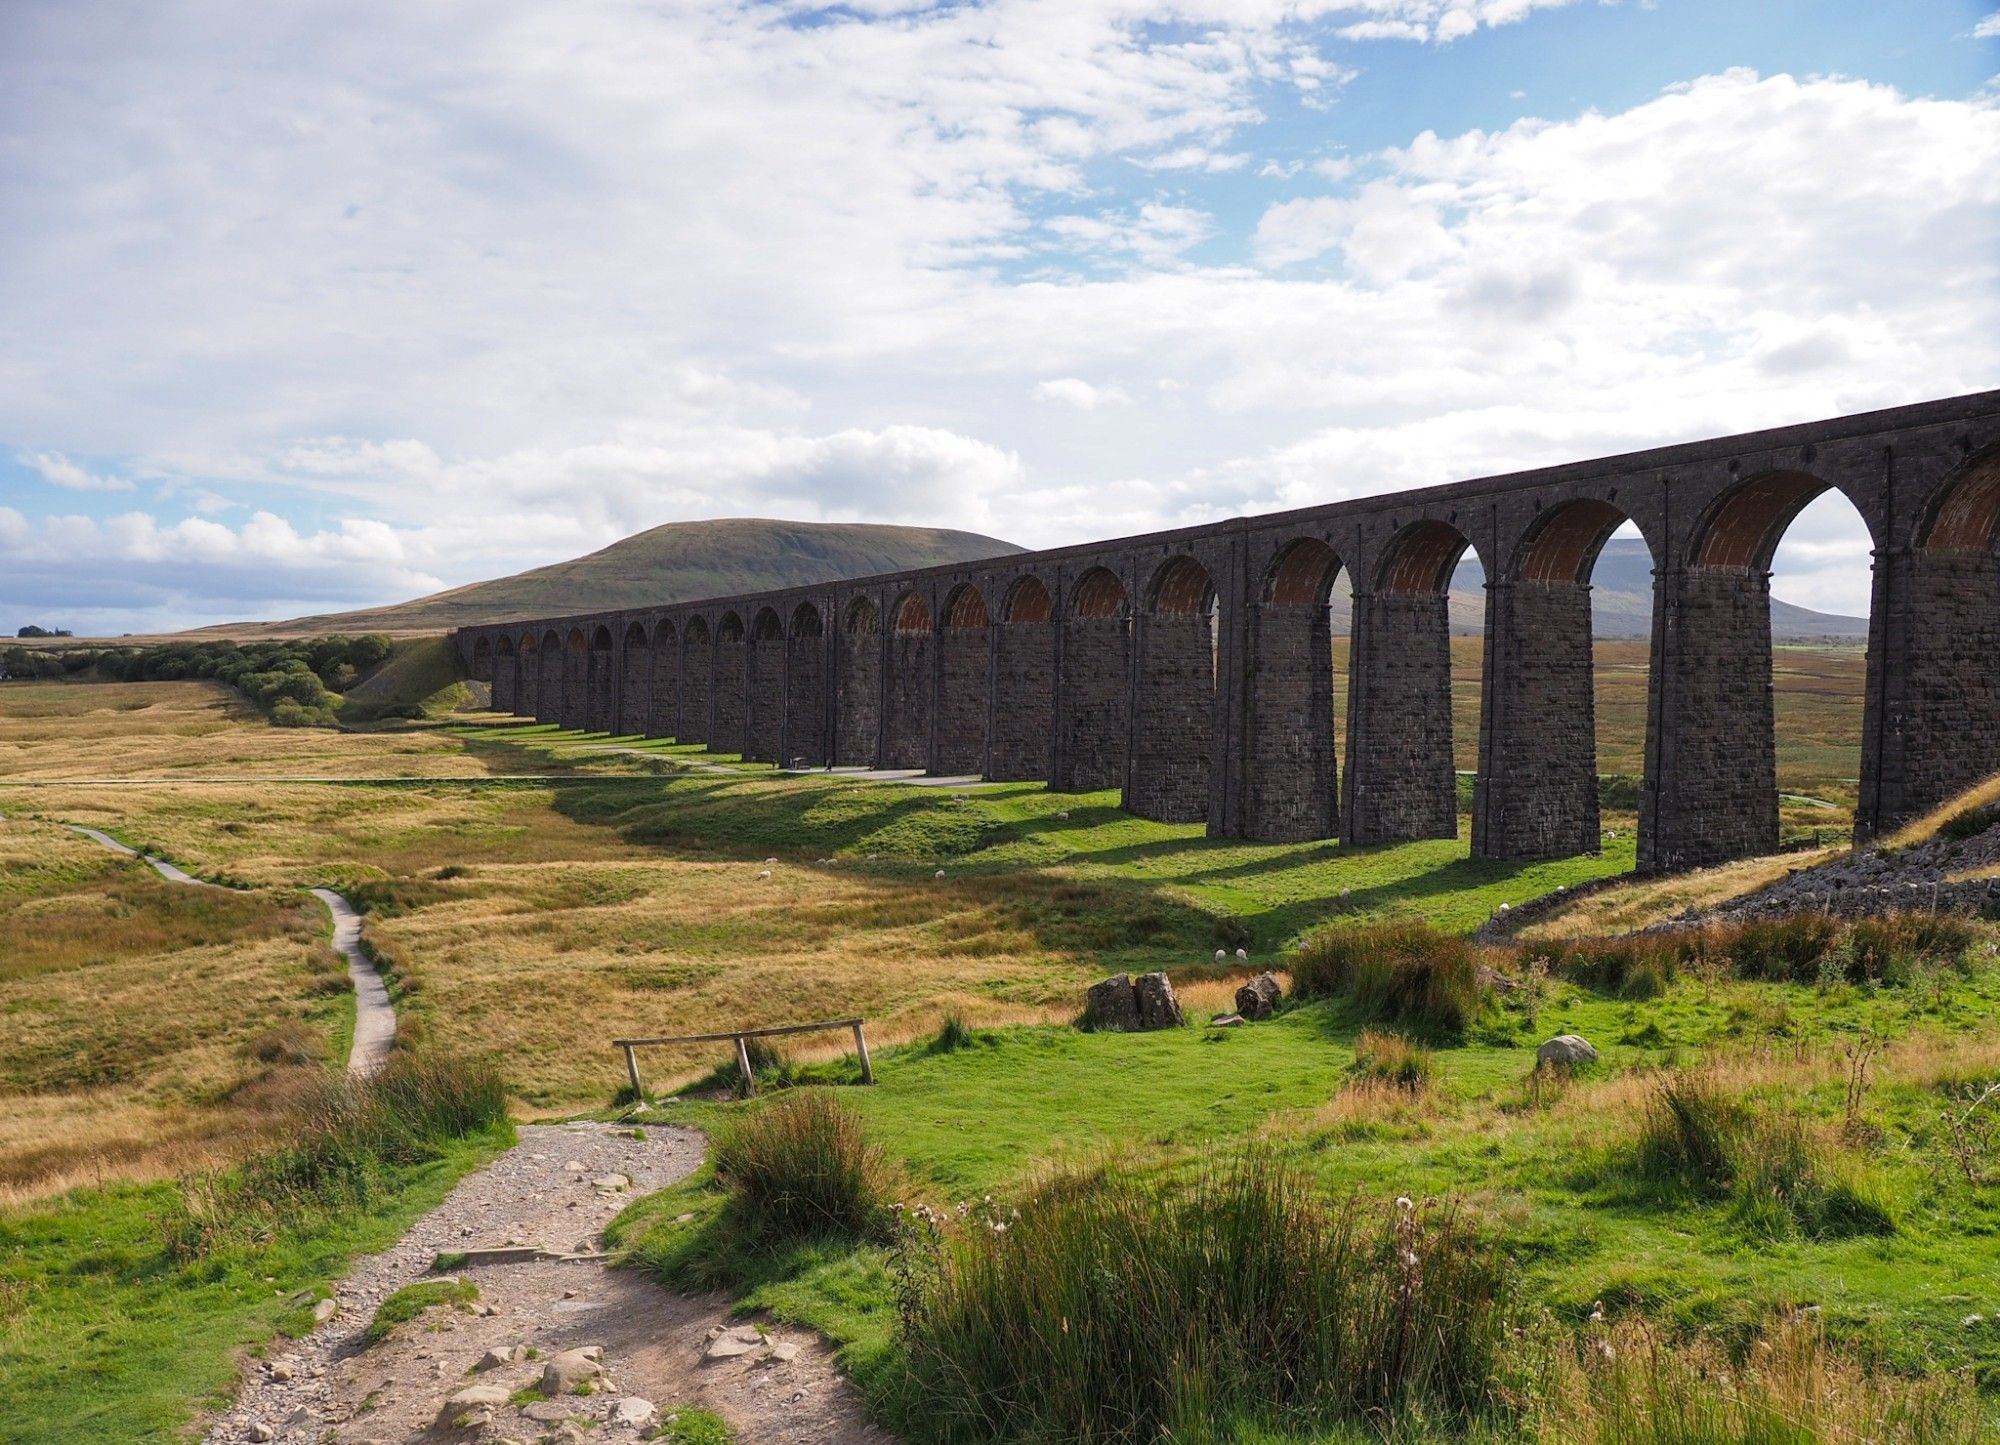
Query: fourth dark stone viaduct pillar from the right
x=1401, y=782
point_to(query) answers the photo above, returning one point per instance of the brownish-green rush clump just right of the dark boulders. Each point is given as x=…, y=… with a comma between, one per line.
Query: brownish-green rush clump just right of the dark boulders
x=1401, y=974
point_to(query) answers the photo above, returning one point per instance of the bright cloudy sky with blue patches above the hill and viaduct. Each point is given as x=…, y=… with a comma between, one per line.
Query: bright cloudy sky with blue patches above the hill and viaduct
x=343, y=301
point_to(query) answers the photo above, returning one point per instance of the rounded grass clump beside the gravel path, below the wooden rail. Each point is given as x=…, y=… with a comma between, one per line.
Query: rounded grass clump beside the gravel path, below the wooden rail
x=801, y=1170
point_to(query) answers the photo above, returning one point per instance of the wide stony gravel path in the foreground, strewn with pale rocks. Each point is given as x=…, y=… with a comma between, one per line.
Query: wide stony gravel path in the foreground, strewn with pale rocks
x=555, y=1348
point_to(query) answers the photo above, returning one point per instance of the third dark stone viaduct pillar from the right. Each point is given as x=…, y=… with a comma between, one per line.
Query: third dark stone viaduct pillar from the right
x=1537, y=794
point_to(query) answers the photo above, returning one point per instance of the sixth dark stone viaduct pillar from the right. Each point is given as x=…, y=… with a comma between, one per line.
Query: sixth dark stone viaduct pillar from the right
x=1175, y=719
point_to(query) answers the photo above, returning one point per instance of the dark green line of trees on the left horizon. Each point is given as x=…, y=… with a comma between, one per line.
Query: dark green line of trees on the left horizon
x=293, y=683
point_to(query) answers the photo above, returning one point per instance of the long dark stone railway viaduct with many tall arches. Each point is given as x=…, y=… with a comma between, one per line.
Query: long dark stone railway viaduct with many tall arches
x=1195, y=669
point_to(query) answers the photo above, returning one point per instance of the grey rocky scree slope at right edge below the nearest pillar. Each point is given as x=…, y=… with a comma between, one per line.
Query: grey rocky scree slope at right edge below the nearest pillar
x=1873, y=882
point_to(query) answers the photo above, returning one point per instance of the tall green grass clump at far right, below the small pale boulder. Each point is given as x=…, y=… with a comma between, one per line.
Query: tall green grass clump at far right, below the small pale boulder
x=1781, y=1176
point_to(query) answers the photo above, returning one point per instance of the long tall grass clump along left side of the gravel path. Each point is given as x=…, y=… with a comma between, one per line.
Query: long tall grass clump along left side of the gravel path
x=343, y=1140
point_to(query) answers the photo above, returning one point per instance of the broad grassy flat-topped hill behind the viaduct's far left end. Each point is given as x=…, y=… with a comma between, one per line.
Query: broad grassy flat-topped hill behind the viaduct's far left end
x=675, y=563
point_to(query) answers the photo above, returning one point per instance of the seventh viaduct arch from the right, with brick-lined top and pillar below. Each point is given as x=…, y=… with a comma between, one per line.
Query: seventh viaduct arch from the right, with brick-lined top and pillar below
x=1095, y=683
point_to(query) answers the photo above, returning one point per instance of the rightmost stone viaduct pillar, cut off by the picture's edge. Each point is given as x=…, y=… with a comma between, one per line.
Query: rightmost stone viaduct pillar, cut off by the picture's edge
x=1933, y=726
